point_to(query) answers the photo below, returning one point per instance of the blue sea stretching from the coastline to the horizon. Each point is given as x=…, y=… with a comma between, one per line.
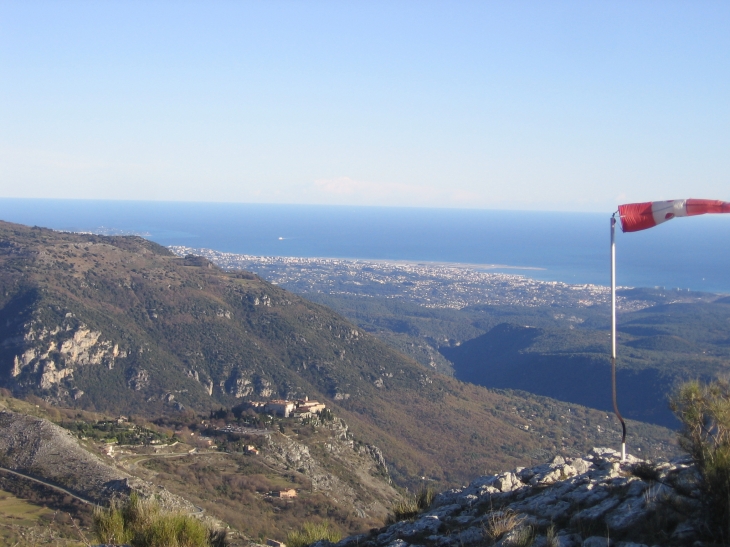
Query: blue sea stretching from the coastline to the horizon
x=686, y=253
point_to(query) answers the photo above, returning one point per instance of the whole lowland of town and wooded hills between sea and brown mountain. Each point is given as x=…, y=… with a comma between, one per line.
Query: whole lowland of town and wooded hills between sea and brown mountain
x=511, y=332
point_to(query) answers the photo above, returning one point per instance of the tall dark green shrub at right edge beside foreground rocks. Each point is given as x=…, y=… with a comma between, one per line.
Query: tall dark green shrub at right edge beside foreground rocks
x=704, y=410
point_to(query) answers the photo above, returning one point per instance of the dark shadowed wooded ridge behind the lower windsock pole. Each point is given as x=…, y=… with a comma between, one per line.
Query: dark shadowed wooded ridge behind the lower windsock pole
x=659, y=347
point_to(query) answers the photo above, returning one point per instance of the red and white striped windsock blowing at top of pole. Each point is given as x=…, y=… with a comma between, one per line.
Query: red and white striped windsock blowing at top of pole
x=640, y=216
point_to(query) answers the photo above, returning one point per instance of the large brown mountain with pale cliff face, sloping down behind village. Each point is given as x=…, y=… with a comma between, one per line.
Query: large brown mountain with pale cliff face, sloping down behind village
x=120, y=324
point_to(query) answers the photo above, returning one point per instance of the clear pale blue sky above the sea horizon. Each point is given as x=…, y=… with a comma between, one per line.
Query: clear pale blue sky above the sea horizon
x=576, y=105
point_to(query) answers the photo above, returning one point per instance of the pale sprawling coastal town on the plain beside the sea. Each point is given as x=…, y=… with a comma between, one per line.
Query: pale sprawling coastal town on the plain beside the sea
x=432, y=285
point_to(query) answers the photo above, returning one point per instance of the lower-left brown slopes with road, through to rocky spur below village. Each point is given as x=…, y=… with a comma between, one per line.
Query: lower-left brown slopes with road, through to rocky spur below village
x=335, y=475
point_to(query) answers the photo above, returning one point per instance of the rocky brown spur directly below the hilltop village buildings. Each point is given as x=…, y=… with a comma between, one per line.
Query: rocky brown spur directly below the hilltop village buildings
x=334, y=475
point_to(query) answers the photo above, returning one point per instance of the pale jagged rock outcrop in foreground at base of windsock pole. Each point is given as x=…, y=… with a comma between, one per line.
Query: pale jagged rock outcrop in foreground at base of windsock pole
x=590, y=501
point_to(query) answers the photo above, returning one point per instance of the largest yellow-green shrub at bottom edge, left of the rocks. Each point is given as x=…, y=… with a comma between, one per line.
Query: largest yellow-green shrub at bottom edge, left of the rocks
x=143, y=523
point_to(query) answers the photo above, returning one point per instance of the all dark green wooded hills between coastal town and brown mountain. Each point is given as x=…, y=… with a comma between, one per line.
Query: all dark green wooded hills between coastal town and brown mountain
x=562, y=350
